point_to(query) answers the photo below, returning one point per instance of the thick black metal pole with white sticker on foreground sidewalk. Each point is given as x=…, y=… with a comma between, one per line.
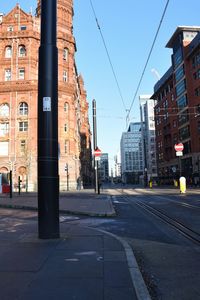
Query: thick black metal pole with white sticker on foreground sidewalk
x=48, y=178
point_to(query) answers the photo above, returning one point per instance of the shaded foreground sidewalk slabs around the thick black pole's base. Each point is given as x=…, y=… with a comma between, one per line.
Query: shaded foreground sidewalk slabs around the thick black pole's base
x=84, y=264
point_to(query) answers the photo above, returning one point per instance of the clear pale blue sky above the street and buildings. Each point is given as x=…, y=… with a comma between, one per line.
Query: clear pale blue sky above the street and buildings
x=128, y=28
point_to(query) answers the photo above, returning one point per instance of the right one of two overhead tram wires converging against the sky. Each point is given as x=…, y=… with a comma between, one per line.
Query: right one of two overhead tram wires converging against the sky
x=149, y=55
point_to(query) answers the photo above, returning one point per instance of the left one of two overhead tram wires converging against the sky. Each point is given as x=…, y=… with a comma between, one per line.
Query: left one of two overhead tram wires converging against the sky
x=108, y=55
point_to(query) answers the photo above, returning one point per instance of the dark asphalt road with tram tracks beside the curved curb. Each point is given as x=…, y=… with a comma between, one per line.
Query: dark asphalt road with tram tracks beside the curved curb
x=168, y=258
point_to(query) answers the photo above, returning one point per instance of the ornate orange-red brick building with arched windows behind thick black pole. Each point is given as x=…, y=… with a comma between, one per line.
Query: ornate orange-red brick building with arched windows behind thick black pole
x=19, y=43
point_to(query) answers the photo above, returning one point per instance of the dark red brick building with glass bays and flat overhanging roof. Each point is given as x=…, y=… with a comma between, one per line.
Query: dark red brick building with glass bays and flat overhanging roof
x=177, y=110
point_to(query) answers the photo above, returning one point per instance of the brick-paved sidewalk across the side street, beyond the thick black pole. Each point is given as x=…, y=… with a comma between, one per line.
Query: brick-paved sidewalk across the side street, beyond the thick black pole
x=84, y=202
